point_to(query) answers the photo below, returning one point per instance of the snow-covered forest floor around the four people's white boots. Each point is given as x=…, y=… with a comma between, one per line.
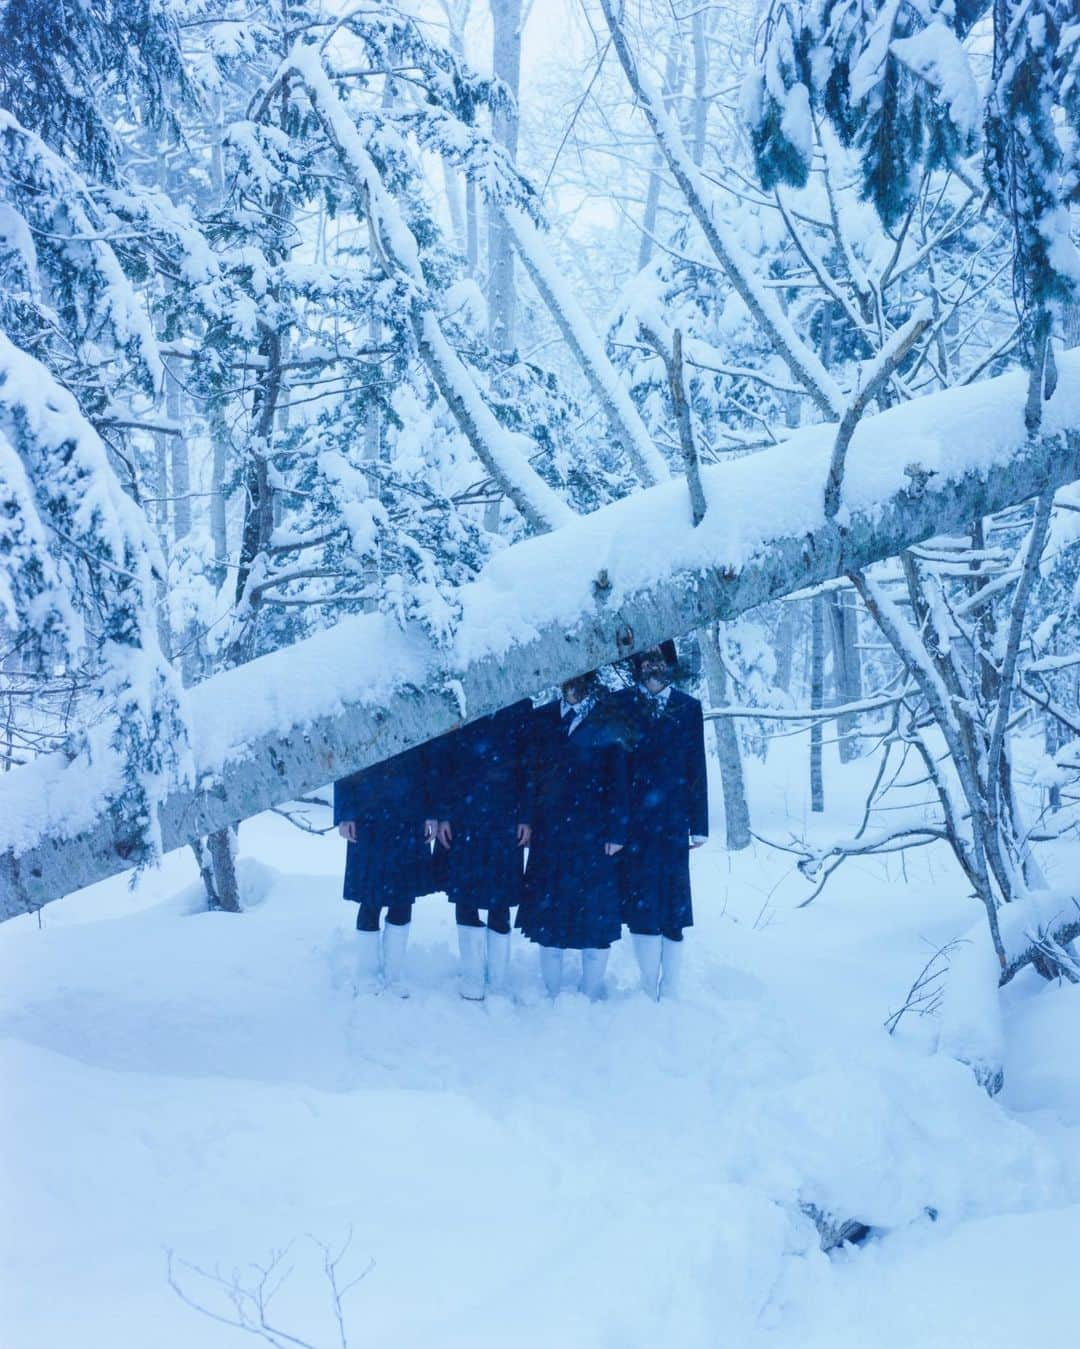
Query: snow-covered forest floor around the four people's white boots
x=517, y=1173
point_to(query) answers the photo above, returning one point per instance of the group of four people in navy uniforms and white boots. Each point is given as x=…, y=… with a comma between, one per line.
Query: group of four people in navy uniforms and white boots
x=606, y=790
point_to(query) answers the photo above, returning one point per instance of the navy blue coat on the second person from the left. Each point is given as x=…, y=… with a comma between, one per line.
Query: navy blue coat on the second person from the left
x=479, y=786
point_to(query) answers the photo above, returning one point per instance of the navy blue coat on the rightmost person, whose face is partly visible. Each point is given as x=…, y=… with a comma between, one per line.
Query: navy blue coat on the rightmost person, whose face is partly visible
x=669, y=803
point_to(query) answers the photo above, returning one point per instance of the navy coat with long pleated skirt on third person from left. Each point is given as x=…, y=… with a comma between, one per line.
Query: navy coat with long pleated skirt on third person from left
x=579, y=803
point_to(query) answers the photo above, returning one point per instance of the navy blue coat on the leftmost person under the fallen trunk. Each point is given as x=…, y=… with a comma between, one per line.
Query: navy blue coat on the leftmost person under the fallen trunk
x=389, y=863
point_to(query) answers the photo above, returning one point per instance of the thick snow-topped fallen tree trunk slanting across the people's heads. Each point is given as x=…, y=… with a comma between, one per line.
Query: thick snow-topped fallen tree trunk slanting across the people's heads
x=590, y=593
